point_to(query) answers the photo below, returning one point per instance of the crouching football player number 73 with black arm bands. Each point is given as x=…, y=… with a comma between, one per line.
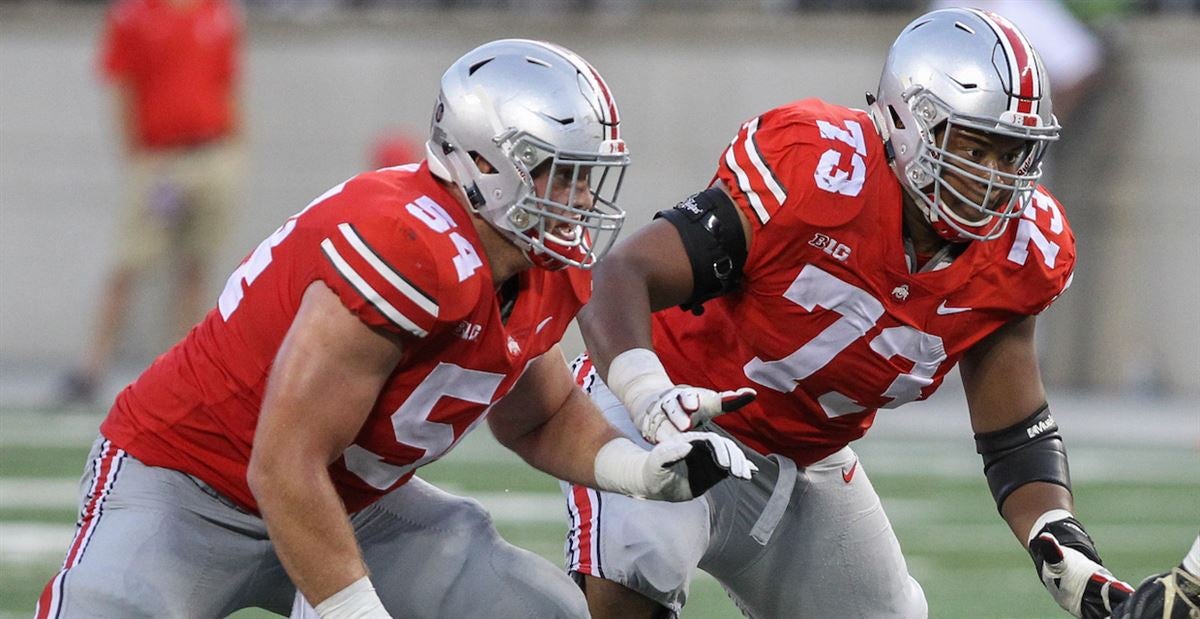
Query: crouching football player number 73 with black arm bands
x=841, y=262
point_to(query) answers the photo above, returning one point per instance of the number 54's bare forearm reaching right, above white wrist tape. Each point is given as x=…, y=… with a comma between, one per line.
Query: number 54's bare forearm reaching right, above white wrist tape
x=566, y=446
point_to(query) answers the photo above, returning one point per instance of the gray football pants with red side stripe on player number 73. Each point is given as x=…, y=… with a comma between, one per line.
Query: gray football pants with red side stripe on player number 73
x=793, y=543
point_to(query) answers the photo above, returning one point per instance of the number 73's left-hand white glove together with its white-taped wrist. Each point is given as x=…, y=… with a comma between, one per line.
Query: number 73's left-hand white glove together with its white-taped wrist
x=661, y=408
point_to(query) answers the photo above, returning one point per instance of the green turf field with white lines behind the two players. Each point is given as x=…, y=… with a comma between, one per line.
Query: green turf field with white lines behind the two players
x=1144, y=518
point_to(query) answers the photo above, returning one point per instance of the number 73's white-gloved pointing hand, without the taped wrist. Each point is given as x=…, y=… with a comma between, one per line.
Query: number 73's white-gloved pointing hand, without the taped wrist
x=683, y=408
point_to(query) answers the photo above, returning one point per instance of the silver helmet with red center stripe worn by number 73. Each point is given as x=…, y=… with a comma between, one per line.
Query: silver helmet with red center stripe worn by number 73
x=964, y=69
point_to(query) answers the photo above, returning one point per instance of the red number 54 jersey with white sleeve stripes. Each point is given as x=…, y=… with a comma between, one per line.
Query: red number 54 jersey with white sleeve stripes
x=401, y=255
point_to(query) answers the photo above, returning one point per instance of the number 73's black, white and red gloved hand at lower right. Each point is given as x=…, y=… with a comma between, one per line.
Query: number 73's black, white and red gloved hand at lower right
x=1071, y=569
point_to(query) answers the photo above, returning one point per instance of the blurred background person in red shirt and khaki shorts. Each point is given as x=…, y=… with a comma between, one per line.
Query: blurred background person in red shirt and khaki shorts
x=175, y=70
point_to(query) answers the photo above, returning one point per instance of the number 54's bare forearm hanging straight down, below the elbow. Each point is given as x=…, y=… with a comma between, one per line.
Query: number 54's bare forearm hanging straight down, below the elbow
x=309, y=527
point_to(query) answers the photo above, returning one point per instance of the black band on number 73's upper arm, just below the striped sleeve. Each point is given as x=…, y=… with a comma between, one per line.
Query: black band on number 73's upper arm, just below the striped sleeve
x=712, y=236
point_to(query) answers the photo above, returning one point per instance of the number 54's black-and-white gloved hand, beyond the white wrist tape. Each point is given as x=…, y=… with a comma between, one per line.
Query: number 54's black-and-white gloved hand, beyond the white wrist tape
x=686, y=466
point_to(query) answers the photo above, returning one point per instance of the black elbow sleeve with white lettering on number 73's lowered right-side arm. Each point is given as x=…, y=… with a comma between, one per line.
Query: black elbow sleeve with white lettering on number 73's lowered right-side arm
x=1022, y=454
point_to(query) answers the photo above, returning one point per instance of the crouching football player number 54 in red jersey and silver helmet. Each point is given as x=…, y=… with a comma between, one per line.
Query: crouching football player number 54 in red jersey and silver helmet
x=274, y=448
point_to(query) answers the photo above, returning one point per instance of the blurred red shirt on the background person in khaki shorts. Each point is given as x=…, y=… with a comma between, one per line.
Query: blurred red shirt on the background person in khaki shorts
x=181, y=65
